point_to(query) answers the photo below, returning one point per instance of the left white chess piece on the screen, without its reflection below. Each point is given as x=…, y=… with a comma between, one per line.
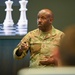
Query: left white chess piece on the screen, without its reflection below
x=8, y=19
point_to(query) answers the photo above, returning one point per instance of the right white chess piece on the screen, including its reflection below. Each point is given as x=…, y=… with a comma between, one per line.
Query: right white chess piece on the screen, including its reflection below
x=22, y=22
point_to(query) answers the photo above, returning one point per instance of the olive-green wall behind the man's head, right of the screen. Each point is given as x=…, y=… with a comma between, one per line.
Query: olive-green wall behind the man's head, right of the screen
x=64, y=12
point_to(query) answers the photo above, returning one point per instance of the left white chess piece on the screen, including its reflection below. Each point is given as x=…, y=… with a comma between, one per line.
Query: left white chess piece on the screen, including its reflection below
x=8, y=22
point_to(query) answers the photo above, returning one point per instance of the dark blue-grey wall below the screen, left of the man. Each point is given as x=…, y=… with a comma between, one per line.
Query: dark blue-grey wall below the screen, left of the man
x=8, y=65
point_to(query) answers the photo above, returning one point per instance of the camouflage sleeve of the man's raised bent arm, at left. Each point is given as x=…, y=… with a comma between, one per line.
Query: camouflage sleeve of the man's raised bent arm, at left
x=25, y=39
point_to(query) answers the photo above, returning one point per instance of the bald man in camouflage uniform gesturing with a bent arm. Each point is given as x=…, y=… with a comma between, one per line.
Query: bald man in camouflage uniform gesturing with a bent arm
x=41, y=42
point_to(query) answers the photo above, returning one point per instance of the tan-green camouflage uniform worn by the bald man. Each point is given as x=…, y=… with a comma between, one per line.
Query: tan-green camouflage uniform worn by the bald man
x=40, y=44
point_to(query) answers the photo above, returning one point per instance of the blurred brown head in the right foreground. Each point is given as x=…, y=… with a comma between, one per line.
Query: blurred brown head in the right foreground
x=67, y=47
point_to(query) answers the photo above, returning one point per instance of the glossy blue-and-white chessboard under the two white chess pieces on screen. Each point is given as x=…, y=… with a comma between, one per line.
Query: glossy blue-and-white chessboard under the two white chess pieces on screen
x=12, y=30
